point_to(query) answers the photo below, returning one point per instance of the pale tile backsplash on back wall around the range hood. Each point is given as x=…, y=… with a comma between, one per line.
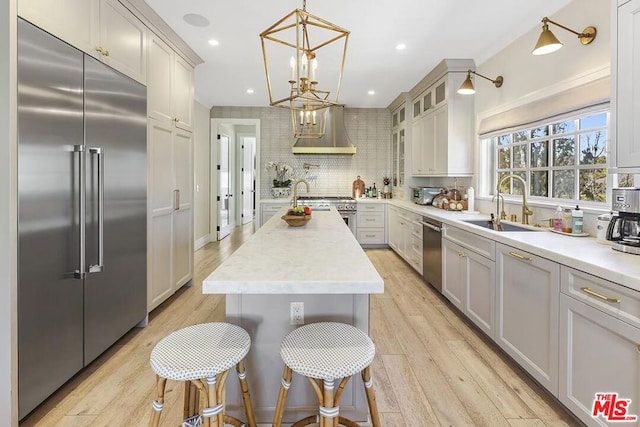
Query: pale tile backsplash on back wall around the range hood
x=369, y=130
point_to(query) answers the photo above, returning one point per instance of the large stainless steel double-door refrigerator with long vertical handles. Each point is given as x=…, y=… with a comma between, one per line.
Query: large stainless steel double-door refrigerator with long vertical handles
x=81, y=211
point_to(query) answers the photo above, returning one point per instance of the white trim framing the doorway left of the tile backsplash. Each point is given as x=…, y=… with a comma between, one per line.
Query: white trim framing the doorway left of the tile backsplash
x=213, y=175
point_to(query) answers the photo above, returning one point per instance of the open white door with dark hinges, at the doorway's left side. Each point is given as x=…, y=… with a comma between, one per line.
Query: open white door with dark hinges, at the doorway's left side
x=226, y=210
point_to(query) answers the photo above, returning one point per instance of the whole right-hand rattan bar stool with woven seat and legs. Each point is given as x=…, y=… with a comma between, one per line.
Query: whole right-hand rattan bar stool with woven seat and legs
x=324, y=352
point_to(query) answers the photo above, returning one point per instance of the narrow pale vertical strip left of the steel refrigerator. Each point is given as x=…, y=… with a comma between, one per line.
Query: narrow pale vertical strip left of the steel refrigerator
x=8, y=215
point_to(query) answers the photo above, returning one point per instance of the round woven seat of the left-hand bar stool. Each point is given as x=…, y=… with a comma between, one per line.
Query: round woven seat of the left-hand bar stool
x=200, y=351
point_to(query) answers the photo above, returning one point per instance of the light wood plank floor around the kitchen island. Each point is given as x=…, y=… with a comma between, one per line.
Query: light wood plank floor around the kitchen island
x=431, y=368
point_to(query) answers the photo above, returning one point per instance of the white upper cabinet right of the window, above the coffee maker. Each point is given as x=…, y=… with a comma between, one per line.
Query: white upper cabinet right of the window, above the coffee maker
x=626, y=69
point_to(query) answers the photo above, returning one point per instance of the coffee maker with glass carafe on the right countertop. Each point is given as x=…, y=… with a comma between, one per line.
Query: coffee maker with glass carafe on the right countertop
x=624, y=228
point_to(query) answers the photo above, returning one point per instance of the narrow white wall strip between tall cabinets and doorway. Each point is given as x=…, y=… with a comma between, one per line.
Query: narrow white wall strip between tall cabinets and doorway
x=201, y=133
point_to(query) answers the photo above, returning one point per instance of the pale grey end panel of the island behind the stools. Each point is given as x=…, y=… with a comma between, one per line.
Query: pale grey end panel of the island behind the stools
x=267, y=320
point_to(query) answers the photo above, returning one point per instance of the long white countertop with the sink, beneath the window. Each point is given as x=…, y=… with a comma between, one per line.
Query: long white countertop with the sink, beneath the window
x=581, y=253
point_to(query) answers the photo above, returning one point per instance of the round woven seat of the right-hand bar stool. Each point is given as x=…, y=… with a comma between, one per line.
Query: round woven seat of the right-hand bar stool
x=327, y=350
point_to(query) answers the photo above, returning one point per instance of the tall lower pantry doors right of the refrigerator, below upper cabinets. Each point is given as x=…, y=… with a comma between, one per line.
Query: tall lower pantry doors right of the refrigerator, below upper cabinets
x=170, y=217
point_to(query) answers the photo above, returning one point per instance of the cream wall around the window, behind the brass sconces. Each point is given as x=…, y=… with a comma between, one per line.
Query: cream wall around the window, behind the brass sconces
x=528, y=77
